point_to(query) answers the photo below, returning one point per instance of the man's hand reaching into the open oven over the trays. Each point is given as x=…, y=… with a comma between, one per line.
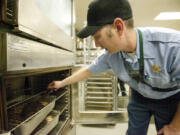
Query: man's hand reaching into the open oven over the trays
x=55, y=85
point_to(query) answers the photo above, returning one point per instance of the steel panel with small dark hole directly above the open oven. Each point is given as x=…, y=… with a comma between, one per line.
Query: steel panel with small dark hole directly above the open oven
x=24, y=54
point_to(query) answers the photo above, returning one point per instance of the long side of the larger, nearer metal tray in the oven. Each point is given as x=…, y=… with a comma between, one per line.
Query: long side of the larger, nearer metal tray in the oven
x=26, y=127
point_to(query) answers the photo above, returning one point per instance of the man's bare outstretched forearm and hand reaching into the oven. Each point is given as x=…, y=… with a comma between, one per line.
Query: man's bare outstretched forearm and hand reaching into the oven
x=80, y=75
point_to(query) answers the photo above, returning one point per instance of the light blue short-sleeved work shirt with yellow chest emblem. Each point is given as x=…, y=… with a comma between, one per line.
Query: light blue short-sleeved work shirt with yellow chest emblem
x=161, y=62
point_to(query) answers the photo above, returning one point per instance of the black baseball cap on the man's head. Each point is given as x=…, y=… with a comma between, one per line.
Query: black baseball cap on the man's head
x=102, y=12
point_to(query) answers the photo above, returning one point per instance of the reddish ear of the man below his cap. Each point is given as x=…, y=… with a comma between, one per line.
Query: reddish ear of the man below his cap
x=118, y=24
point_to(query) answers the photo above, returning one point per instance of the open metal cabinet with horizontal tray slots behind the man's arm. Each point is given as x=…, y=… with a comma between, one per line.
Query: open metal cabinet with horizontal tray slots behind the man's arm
x=99, y=100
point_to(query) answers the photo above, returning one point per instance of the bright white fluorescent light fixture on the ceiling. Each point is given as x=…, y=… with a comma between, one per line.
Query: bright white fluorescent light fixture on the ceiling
x=168, y=16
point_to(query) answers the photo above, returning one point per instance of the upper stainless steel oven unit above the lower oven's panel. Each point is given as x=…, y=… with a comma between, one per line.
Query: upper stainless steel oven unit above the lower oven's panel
x=49, y=20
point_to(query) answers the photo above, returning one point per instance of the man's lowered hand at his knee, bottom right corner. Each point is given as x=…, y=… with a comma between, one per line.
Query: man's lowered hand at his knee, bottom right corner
x=168, y=130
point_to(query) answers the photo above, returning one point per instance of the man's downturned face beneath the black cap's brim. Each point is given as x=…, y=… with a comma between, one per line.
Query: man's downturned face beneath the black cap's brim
x=108, y=38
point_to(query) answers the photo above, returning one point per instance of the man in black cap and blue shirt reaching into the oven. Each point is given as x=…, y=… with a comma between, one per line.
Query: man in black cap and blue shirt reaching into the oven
x=145, y=58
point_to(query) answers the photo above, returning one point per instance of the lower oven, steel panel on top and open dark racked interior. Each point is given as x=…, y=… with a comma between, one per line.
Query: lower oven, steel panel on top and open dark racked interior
x=26, y=68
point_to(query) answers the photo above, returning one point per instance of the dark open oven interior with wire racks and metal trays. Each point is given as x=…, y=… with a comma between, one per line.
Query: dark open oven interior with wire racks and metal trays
x=28, y=100
